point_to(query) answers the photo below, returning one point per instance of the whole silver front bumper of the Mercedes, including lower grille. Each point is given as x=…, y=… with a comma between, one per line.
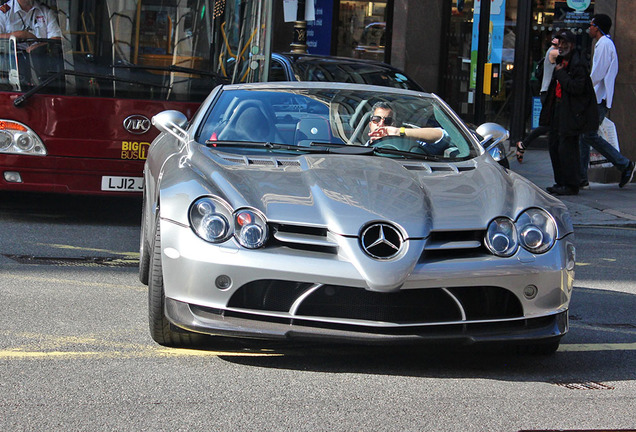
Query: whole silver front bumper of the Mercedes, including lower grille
x=279, y=293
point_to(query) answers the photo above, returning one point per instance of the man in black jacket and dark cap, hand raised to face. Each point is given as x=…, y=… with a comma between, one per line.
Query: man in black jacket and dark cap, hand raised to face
x=573, y=112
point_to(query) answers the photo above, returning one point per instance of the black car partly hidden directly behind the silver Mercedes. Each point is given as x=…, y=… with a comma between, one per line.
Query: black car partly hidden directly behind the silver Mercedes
x=311, y=67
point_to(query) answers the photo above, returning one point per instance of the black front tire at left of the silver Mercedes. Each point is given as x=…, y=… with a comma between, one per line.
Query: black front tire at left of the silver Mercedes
x=161, y=330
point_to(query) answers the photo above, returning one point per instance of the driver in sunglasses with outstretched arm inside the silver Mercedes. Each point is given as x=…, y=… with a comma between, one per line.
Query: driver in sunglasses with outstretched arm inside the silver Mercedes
x=382, y=121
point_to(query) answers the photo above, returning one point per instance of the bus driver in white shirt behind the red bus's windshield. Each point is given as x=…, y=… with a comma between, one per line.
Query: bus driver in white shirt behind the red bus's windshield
x=28, y=19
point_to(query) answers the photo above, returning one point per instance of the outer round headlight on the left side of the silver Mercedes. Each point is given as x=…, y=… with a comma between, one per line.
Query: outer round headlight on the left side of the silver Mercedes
x=210, y=219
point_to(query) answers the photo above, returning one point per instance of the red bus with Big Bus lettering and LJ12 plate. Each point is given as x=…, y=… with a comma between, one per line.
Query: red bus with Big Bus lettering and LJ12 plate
x=75, y=111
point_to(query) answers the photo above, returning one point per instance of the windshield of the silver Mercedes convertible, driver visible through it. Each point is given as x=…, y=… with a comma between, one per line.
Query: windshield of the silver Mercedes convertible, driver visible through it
x=335, y=117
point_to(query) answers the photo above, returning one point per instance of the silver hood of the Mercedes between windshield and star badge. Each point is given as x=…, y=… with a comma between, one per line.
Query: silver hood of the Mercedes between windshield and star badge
x=344, y=192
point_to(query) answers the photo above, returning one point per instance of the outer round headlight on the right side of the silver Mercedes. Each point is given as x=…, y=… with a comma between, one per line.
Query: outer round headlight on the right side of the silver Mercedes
x=537, y=230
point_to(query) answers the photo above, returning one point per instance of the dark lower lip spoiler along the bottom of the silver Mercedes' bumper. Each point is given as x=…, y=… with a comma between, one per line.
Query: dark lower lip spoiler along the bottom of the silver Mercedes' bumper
x=224, y=323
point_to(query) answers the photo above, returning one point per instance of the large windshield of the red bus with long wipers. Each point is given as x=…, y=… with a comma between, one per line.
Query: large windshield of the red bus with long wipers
x=153, y=49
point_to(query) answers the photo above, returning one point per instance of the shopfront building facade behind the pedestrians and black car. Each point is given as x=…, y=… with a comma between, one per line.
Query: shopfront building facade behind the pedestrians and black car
x=483, y=68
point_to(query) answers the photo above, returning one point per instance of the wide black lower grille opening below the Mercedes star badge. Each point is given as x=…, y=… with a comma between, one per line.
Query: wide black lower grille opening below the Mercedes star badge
x=433, y=305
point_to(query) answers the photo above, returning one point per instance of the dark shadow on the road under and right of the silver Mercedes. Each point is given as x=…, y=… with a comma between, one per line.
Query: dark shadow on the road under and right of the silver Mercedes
x=601, y=346
